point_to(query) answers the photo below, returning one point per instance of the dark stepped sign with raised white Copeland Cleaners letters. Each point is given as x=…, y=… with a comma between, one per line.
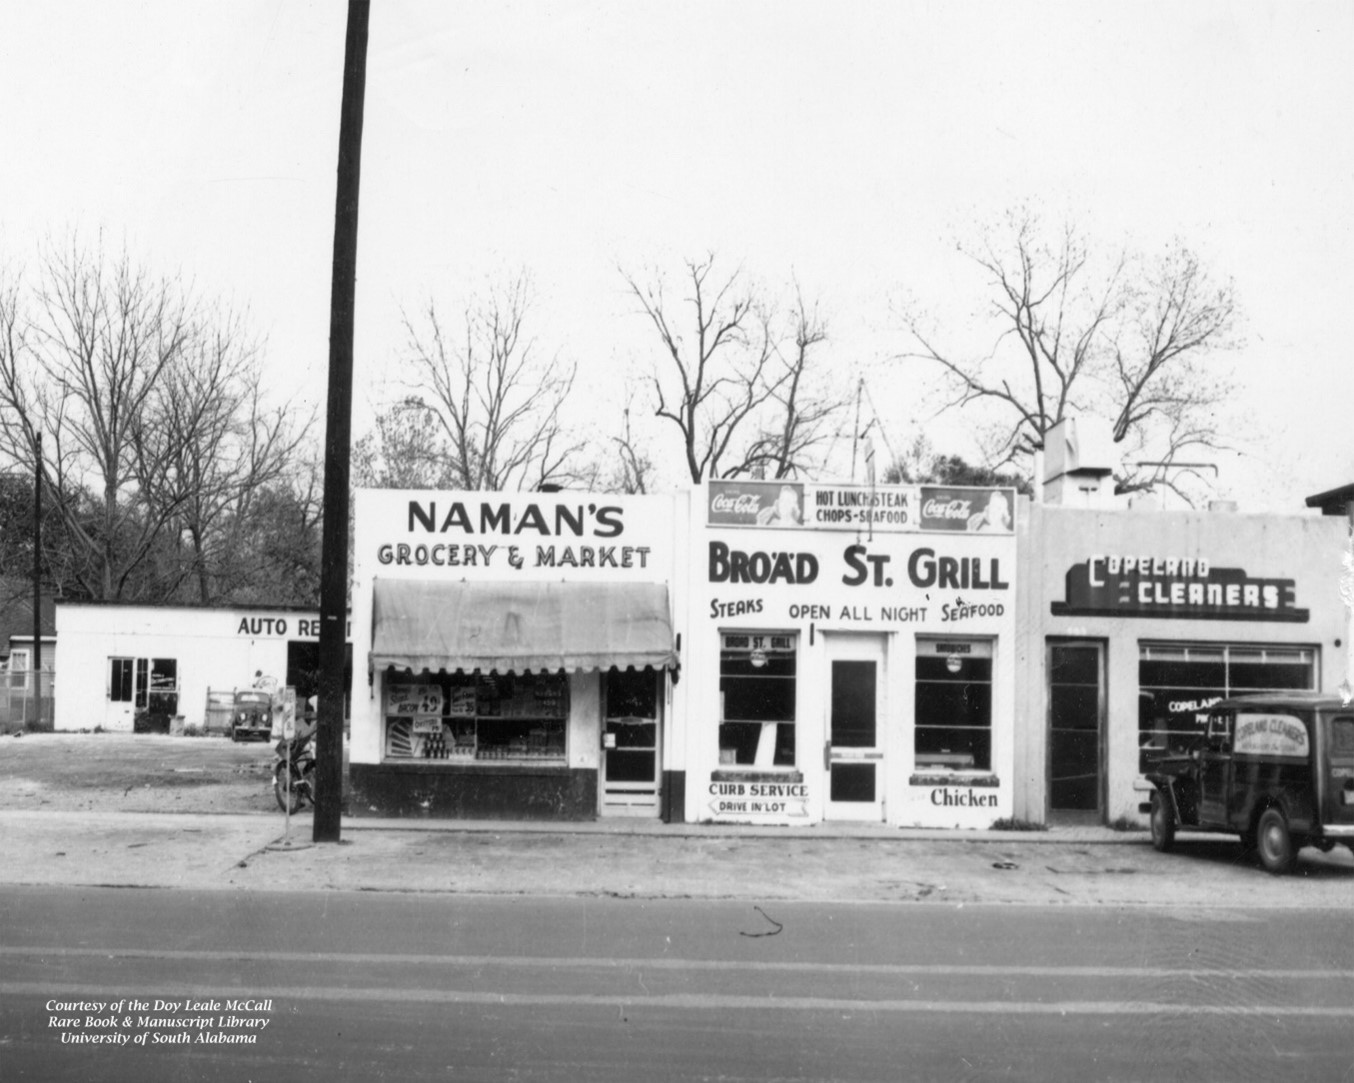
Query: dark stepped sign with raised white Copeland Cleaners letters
x=1184, y=588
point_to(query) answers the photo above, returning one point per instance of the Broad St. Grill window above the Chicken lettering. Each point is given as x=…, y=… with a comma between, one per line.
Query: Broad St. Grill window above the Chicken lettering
x=954, y=722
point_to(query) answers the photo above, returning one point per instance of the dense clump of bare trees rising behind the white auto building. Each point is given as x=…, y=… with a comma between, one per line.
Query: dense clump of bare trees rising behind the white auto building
x=156, y=442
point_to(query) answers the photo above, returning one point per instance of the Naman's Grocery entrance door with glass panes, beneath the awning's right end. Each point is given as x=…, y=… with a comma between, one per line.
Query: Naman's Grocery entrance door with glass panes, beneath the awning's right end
x=630, y=744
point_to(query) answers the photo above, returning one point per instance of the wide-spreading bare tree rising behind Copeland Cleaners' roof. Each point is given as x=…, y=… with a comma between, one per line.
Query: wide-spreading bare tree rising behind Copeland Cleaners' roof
x=1127, y=340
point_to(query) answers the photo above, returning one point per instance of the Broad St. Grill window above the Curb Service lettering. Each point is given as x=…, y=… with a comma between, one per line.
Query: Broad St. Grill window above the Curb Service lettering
x=758, y=701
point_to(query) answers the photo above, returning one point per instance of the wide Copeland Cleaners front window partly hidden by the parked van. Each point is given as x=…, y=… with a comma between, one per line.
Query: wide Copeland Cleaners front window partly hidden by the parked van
x=1179, y=683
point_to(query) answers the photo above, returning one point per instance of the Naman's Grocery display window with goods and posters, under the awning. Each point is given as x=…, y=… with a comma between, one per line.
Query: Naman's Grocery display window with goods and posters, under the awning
x=479, y=718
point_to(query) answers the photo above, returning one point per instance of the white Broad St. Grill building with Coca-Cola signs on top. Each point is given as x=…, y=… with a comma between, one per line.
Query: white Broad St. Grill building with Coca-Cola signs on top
x=851, y=656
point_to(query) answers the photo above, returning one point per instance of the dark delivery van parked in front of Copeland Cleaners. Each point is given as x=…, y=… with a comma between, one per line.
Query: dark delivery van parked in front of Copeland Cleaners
x=1277, y=771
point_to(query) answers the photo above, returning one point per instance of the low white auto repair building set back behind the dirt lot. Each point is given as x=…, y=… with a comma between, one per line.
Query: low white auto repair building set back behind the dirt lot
x=128, y=668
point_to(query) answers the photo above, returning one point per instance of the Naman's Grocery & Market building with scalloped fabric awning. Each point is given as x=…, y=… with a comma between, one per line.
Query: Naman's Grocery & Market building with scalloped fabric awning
x=515, y=655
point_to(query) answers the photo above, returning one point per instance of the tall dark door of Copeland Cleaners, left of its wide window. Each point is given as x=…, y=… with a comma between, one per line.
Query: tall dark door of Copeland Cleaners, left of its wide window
x=1076, y=726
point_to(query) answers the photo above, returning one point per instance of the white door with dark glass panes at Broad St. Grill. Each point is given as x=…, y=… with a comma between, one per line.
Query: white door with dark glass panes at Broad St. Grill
x=856, y=710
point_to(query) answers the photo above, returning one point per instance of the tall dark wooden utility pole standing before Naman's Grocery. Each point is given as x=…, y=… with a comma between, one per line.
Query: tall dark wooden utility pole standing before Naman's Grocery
x=334, y=554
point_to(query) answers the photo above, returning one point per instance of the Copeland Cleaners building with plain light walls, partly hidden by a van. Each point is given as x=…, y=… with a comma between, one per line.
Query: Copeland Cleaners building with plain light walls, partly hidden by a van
x=1135, y=622
